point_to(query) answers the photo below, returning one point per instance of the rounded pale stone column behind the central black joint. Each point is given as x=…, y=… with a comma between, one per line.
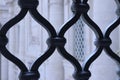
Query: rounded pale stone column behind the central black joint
x=54, y=65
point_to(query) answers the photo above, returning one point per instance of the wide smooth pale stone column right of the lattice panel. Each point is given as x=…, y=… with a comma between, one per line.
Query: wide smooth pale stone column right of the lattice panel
x=104, y=67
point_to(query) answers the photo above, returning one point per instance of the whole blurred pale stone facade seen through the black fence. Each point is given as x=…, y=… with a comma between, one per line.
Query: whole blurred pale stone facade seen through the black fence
x=27, y=39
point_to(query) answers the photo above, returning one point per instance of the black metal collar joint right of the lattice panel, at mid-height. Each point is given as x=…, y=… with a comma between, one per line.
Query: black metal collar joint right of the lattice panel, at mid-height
x=103, y=42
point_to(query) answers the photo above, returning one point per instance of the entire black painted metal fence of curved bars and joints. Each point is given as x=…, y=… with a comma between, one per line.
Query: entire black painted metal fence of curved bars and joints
x=57, y=40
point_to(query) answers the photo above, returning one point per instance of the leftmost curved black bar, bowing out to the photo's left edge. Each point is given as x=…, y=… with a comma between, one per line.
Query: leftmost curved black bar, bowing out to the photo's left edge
x=4, y=40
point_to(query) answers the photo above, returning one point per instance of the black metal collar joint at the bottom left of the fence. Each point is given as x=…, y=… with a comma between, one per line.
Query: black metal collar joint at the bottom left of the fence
x=30, y=75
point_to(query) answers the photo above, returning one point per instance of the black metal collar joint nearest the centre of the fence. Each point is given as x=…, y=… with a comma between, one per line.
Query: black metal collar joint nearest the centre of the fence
x=57, y=41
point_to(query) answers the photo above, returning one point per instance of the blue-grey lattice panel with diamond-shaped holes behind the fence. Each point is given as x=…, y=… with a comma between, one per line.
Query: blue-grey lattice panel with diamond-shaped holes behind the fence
x=79, y=41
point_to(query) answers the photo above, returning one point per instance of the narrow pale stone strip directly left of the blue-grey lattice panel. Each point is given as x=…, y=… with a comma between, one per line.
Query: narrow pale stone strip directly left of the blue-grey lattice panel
x=68, y=67
